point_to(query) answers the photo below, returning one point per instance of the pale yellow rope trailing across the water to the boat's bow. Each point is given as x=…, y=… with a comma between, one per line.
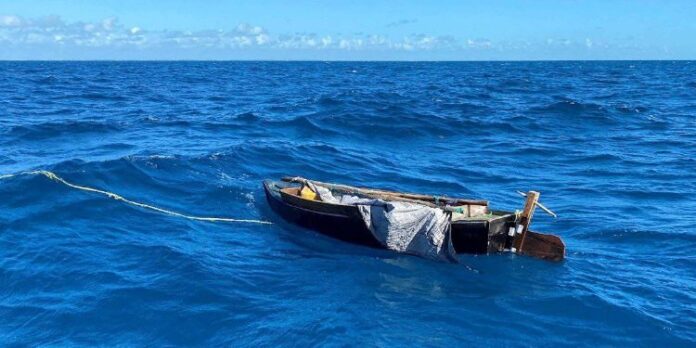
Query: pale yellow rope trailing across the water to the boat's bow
x=56, y=178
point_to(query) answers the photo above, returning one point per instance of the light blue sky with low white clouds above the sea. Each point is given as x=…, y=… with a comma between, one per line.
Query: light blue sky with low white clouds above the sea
x=347, y=30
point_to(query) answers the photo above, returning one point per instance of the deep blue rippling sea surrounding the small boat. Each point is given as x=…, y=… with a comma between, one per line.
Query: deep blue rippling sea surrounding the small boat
x=610, y=145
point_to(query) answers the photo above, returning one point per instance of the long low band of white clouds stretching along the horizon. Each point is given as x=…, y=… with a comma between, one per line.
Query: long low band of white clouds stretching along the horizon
x=54, y=38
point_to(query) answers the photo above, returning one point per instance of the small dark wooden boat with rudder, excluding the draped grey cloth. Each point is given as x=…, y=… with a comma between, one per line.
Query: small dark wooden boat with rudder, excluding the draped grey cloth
x=475, y=228
